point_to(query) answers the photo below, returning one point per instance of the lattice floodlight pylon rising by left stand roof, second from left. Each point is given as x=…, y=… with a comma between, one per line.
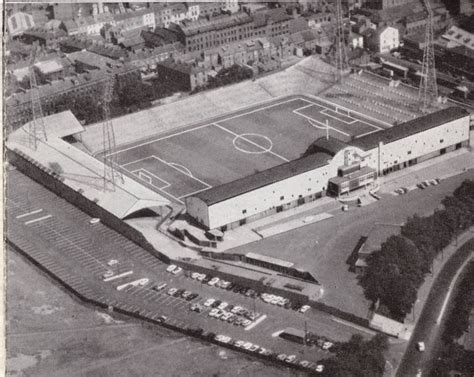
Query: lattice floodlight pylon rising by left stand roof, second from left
x=111, y=173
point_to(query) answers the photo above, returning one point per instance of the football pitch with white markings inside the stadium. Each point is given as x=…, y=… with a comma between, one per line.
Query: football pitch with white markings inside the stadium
x=239, y=144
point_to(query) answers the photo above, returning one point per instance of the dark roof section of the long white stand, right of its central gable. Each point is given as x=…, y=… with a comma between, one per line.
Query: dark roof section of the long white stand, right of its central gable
x=409, y=128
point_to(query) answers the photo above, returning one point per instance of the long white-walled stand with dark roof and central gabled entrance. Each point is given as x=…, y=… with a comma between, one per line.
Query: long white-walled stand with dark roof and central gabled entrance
x=331, y=166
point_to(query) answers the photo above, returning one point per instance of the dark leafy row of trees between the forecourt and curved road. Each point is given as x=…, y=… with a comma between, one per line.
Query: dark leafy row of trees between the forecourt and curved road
x=395, y=272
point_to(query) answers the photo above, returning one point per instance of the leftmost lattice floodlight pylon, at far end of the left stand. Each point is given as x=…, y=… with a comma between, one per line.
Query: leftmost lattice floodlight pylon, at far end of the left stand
x=36, y=128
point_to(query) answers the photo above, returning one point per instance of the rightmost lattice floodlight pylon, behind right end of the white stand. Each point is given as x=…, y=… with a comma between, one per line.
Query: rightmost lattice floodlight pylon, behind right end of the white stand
x=428, y=92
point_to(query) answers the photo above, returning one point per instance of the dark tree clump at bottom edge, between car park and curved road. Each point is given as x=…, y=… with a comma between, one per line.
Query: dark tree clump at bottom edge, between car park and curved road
x=358, y=358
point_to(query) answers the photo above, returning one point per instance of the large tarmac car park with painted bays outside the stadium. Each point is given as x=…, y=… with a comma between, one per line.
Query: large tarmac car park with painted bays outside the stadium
x=63, y=234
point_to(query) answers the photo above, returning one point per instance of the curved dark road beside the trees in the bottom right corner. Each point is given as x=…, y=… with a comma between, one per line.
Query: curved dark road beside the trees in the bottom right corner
x=427, y=329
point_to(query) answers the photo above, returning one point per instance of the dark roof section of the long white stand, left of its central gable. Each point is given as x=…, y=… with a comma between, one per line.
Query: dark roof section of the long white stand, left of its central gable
x=277, y=173
